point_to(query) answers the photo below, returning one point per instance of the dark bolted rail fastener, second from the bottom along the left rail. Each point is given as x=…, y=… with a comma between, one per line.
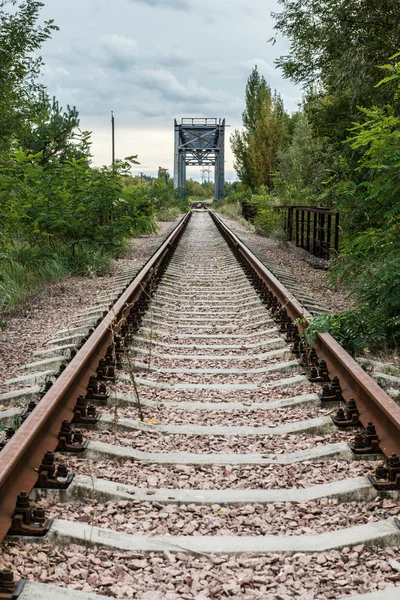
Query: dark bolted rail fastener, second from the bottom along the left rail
x=28, y=520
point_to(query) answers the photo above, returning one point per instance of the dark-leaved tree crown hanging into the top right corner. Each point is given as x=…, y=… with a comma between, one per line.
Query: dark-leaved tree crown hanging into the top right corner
x=336, y=49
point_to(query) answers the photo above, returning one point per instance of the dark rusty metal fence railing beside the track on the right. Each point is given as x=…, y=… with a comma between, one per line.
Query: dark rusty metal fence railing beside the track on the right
x=314, y=228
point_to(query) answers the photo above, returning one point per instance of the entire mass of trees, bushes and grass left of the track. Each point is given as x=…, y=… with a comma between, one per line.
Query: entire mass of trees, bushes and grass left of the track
x=58, y=215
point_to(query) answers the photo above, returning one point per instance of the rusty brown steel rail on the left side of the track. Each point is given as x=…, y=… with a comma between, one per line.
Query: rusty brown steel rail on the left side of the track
x=39, y=433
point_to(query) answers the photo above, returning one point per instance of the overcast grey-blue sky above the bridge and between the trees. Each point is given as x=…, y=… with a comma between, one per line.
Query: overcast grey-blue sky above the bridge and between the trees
x=151, y=61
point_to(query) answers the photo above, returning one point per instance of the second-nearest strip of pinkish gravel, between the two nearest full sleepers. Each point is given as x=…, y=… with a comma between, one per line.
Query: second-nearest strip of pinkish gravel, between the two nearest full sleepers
x=278, y=518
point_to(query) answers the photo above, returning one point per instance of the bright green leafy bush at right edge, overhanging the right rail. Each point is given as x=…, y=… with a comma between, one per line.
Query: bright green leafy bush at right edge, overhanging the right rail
x=370, y=260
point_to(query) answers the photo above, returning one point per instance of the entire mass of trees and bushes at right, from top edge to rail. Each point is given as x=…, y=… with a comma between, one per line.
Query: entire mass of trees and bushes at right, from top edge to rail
x=337, y=49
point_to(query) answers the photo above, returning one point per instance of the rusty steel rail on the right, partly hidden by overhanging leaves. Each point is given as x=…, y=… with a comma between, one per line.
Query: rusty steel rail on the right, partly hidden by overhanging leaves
x=372, y=401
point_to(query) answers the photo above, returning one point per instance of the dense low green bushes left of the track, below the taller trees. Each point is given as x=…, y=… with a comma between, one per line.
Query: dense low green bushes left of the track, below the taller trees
x=69, y=201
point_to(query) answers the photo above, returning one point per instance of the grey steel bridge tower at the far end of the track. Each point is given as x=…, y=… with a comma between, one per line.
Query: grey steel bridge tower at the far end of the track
x=201, y=142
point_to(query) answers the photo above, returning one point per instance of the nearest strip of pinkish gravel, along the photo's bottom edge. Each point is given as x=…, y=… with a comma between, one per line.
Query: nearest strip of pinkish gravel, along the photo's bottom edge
x=167, y=576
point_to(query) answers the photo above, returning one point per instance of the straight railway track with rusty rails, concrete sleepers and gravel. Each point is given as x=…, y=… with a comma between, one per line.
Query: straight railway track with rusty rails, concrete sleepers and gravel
x=187, y=450
